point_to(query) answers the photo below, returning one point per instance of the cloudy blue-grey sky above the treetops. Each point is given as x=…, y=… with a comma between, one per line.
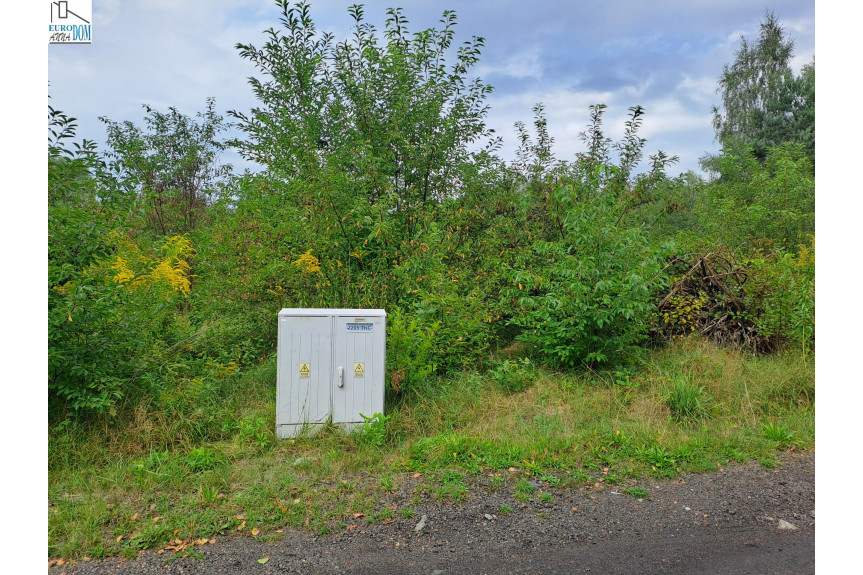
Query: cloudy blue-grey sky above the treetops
x=664, y=56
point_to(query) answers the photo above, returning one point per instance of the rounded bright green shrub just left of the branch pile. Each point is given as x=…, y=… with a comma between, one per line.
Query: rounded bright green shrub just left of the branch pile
x=589, y=296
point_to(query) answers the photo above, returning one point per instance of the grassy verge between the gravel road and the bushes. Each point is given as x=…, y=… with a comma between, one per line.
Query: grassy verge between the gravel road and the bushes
x=205, y=468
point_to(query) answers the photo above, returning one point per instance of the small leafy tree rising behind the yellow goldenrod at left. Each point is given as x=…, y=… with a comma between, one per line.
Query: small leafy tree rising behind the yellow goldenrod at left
x=172, y=164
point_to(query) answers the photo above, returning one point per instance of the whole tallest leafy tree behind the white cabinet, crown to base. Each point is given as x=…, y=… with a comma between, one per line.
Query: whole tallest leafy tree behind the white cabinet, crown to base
x=371, y=169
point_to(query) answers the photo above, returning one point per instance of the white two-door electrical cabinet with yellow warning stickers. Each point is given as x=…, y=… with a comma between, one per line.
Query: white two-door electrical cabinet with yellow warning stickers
x=331, y=366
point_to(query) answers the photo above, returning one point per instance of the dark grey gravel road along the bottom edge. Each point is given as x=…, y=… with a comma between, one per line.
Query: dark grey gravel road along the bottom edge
x=742, y=519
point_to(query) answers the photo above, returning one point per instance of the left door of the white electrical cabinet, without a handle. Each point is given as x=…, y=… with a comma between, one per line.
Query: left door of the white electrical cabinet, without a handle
x=303, y=392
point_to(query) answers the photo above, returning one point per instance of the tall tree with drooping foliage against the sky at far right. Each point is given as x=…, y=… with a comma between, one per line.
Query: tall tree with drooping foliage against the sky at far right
x=763, y=103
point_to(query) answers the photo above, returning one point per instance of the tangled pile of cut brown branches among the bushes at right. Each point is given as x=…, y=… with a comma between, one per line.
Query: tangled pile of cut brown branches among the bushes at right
x=708, y=297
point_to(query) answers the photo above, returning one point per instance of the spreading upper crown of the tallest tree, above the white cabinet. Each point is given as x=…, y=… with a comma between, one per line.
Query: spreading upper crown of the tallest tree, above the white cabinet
x=364, y=123
